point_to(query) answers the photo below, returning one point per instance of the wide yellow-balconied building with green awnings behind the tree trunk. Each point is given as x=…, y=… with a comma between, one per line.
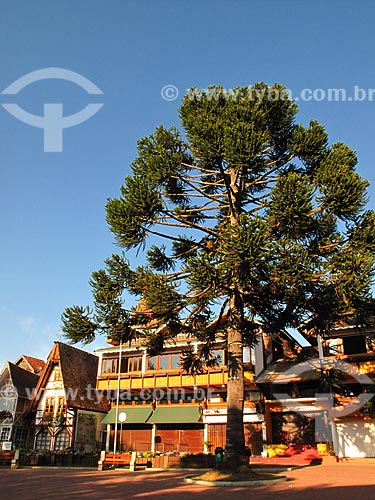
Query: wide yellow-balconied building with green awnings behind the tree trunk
x=161, y=408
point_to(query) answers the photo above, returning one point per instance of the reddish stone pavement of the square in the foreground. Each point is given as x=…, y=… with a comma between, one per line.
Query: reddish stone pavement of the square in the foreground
x=344, y=481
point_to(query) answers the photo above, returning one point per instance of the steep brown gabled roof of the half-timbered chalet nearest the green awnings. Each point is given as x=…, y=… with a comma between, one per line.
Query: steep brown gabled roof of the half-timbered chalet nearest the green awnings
x=78, y=372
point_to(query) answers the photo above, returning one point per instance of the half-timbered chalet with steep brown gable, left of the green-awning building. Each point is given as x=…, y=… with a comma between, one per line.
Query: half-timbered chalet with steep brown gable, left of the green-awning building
x=65, y=405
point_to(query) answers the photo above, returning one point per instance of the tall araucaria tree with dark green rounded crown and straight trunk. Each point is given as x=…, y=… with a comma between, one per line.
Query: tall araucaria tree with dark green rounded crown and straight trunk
x=247, y=221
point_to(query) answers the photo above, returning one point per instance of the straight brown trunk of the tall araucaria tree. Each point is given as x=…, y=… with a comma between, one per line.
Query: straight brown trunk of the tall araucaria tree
x=235, y=456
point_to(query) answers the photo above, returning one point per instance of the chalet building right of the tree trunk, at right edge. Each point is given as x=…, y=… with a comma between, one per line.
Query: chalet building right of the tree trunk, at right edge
x=294, y=389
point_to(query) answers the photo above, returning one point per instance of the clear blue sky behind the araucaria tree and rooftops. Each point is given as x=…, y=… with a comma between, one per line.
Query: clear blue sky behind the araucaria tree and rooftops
x=52, y=220
